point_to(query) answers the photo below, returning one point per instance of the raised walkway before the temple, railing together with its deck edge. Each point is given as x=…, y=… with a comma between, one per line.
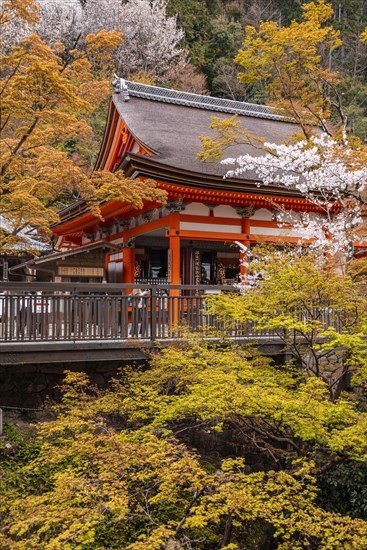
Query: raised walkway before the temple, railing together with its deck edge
x=55, y=322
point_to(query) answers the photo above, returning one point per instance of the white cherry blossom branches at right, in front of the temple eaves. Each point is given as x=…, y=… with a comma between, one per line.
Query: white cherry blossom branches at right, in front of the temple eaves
x=332, y=176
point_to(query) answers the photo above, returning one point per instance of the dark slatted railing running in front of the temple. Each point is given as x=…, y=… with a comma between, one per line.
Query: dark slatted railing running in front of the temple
x=54, y=312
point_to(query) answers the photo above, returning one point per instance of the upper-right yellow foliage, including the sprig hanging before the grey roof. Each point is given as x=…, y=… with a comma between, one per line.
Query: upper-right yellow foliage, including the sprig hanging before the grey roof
x=290, y=63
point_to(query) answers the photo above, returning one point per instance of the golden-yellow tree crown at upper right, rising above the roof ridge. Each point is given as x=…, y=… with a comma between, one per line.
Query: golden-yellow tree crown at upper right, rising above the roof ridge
x=289, y=62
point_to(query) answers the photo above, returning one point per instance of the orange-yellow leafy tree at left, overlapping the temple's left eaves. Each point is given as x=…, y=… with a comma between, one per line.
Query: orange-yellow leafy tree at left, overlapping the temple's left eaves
x=45, y=100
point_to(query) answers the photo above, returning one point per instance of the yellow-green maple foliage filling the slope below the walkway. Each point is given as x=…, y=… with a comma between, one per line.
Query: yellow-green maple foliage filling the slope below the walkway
x=88, y=485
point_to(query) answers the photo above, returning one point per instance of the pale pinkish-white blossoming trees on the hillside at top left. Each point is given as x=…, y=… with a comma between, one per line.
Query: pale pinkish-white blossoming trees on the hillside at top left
x=151, y=38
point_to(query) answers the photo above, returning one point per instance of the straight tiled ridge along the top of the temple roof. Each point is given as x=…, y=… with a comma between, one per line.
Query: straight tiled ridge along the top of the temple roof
x=168, y=95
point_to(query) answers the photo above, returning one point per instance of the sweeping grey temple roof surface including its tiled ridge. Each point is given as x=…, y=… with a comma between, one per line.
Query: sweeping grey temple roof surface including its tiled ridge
x=170, y=123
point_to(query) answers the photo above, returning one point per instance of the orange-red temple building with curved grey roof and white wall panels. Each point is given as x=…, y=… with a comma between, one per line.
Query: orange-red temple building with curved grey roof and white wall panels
x=153, y=132
